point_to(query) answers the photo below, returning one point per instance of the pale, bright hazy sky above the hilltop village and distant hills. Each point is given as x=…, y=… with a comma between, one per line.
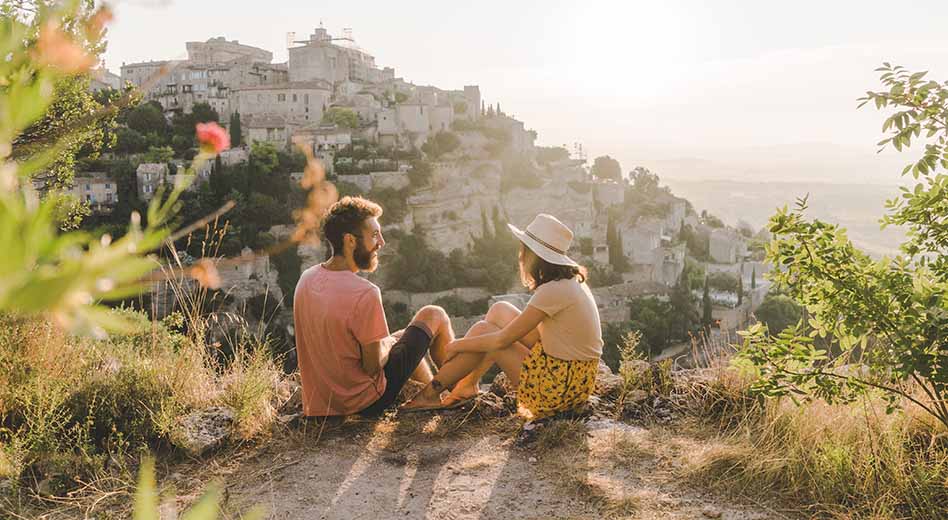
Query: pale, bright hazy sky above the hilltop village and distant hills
x=656, y=79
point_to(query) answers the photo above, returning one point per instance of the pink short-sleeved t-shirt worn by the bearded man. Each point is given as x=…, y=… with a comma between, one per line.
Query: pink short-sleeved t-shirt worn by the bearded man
x=334, y=313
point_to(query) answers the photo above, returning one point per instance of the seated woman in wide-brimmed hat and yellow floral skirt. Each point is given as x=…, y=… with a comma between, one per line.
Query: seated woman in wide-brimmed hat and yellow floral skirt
x=550, y=351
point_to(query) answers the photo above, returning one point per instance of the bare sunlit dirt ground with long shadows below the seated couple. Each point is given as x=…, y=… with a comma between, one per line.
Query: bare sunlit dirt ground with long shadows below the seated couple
x=460, y=467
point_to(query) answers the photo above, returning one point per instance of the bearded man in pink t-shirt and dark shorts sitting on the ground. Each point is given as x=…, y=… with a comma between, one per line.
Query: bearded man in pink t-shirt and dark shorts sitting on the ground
x=349, y=362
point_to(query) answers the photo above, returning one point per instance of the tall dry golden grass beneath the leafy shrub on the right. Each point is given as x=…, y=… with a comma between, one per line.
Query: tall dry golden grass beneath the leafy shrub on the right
x=839, y=461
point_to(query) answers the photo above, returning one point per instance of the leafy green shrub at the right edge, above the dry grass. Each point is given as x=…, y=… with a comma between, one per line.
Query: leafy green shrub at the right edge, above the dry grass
x=889, y=314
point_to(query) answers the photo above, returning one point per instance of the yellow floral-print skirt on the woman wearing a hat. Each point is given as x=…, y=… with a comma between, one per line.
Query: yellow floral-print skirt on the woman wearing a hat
x=549, y=385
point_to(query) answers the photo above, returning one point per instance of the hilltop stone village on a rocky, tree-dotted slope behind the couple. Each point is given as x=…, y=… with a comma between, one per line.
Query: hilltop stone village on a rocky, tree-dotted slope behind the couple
x=449, y=169
